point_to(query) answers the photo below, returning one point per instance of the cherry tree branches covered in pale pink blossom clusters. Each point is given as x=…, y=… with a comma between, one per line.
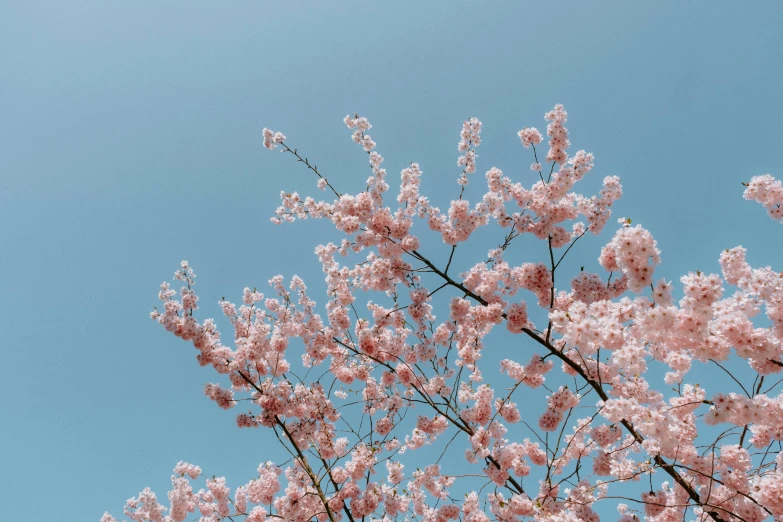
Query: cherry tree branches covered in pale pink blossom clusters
x=403, y=419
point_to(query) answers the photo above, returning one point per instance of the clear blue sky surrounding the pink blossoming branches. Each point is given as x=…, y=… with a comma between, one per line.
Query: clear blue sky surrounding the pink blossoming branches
x=131, y=139
